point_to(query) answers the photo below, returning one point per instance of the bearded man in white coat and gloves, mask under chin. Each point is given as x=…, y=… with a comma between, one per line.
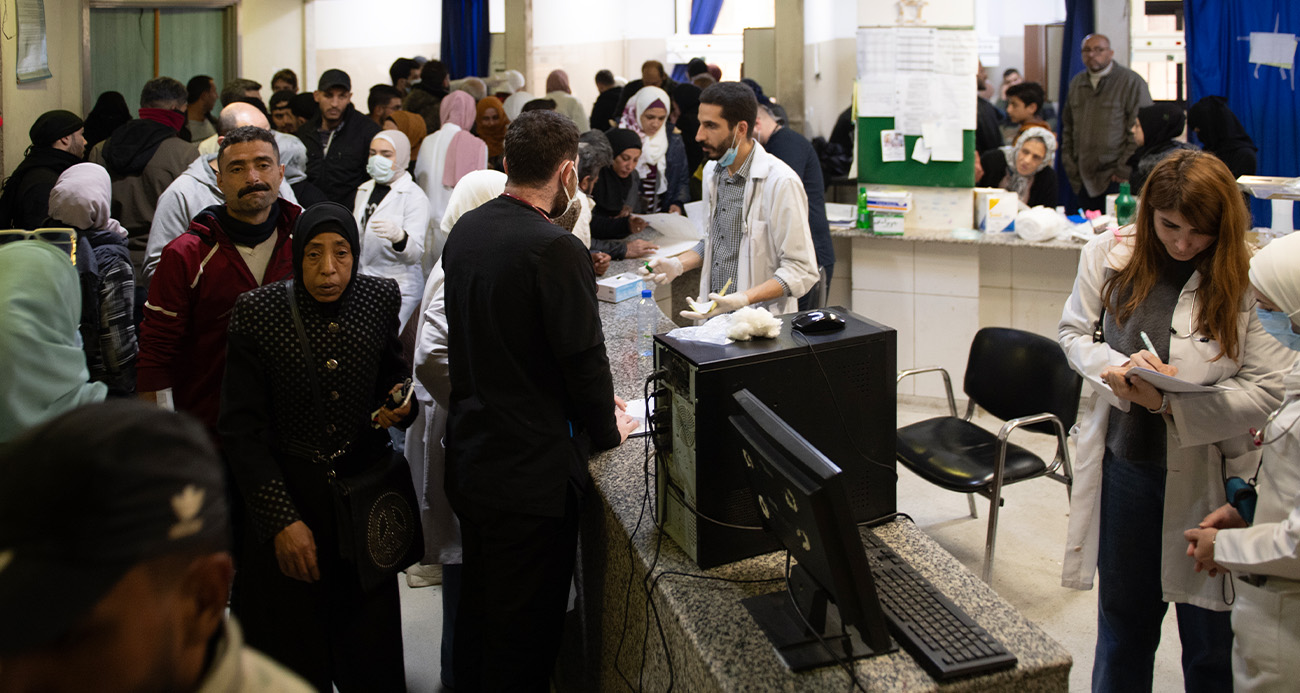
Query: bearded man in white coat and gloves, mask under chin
x=757, y=218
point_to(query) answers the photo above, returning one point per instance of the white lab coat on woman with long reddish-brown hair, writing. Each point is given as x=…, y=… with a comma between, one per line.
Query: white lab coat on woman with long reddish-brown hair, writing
x=1199, y=428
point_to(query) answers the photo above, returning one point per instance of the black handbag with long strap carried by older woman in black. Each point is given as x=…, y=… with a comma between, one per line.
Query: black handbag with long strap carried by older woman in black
x=379, y=519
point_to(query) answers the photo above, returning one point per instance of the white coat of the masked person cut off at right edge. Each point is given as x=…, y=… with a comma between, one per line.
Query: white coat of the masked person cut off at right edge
x=1267, y=620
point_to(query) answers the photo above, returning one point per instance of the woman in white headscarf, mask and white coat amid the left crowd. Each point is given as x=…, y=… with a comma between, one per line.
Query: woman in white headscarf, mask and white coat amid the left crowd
x=393, y=215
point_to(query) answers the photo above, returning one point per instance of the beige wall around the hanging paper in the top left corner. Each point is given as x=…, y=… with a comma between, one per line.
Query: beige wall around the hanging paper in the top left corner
x=21, y=105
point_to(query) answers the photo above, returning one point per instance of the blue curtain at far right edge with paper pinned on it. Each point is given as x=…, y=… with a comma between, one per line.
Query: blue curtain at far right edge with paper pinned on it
x=1219, y=63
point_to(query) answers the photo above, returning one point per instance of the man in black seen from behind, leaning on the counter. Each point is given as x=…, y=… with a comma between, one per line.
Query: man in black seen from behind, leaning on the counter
x=531, y=400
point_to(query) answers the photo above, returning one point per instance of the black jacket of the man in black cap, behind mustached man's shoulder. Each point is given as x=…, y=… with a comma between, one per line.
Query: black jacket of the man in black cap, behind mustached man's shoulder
x=343, y=170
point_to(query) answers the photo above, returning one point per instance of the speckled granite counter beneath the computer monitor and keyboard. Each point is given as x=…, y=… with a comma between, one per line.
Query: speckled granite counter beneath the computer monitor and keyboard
x=713, y=644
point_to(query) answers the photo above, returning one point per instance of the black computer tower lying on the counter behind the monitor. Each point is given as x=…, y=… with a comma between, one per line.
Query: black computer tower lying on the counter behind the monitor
x=837, y=389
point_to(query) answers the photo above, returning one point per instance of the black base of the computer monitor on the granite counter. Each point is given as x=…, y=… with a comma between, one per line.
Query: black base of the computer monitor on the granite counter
x=799, y=648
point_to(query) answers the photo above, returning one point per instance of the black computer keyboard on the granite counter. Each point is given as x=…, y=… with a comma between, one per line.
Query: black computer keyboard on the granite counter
x=939, y=635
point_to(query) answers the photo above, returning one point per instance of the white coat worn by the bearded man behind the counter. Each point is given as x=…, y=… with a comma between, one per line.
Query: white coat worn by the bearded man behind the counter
x=775, y=239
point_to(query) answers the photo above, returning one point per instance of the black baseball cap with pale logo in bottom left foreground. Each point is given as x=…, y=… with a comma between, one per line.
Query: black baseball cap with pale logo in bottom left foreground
x=89, y=496
